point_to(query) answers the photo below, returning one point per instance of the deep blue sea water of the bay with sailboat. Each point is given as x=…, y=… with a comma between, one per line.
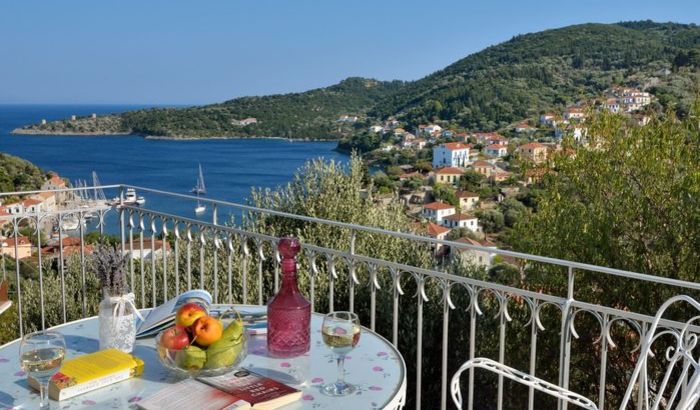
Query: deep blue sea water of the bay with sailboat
x=231, y=167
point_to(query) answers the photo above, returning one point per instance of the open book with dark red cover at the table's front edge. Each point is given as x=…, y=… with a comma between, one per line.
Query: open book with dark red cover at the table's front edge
x=239, y=390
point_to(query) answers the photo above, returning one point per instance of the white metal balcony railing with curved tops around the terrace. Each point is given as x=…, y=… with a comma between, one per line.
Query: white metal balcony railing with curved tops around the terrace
x=238, y=264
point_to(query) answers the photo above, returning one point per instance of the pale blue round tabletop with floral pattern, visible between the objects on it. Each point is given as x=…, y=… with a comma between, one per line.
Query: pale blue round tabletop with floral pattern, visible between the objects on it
x=375, y=366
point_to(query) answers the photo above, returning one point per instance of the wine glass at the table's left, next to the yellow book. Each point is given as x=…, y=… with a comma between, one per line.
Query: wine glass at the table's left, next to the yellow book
x=41, y=355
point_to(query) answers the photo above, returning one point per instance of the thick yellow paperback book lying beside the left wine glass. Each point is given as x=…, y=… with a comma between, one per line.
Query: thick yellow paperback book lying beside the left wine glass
x=92, y=371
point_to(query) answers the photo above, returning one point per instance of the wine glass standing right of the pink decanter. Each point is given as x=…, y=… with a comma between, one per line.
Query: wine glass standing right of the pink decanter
x=341, y=333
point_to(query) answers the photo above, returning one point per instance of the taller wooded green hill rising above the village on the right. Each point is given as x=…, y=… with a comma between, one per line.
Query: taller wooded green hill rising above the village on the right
x=535, y=72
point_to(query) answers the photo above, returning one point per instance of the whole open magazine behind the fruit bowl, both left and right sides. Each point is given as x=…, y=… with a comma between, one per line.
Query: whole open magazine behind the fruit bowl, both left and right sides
x=163, y=316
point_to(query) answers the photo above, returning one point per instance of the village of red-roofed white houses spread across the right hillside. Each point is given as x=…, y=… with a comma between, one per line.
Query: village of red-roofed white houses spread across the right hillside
x=471, y=186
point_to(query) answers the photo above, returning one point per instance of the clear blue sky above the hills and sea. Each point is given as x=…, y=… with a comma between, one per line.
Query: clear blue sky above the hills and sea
x=193, y=52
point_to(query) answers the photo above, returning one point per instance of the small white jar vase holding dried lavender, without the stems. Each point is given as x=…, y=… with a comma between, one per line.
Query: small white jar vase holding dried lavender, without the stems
x=117, y=322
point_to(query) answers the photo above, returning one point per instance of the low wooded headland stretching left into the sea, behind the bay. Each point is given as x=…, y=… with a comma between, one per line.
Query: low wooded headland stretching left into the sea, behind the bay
x=311, y=114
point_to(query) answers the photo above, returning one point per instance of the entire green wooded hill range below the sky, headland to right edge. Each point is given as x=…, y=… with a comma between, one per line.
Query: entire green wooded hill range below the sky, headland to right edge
x=487, y=91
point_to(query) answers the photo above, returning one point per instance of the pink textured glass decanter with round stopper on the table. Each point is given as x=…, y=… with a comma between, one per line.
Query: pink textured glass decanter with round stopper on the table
x=288, y=312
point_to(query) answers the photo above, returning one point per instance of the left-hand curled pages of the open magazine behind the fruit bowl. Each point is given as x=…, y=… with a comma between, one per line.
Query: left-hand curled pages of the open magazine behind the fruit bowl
x=163, y=316
